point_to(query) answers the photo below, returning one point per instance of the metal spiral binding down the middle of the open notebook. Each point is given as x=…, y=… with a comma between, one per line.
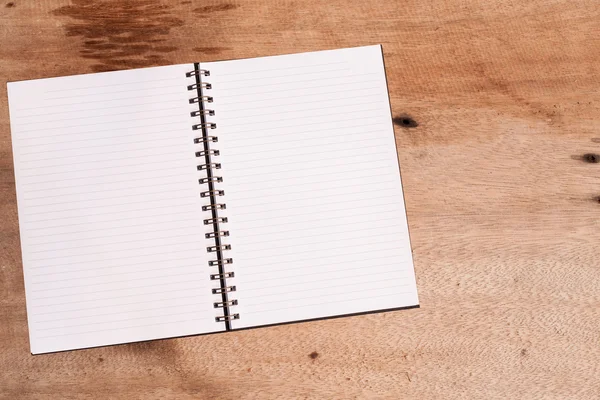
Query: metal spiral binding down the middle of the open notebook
x=217, y=234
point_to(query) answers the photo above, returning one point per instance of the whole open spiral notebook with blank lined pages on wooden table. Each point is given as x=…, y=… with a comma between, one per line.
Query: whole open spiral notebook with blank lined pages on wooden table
x=208, y=197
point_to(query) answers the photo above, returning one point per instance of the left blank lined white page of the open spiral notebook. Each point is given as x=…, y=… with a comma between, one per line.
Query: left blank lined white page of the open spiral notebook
x=109, y=209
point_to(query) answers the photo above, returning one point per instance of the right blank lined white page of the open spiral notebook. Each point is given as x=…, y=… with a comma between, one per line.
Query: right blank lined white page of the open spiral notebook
x=312, y=186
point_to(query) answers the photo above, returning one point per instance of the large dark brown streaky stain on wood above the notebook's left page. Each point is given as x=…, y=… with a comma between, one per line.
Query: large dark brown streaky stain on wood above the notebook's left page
x=119, y=35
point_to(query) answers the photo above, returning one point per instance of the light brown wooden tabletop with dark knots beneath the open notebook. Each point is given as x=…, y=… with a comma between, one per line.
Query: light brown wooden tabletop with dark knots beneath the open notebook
x=498, y=106
